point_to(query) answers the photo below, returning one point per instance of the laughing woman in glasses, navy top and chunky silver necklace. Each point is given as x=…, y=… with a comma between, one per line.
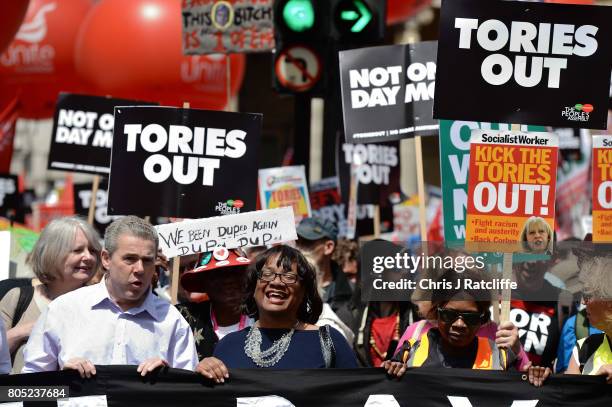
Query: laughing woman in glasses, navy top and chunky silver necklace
x=281, y=295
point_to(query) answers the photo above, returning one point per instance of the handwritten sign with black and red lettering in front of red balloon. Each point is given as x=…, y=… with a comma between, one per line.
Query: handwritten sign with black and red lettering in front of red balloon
x=215, y=26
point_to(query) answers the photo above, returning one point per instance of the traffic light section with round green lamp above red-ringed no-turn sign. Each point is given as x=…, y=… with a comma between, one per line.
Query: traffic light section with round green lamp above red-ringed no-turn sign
x=302, y=45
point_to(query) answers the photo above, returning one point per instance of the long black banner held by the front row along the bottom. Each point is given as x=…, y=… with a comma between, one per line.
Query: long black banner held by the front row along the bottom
x=122, y=386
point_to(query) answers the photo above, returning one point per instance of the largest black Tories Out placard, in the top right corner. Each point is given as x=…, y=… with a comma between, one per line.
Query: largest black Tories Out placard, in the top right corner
x=535, y=63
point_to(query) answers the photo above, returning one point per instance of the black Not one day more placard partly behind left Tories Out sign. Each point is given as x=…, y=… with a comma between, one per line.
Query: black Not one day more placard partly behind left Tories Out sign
x=83, y=133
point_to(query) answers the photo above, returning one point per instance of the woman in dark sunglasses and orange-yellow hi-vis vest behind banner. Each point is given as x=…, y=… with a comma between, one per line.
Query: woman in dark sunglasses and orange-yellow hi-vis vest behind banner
x=454, y=343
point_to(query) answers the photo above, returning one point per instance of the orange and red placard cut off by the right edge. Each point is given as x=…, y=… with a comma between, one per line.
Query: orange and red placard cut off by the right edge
x=602, y=188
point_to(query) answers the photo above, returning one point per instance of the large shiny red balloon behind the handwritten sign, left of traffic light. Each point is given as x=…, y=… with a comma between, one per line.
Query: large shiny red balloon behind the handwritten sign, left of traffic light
x=133, y=49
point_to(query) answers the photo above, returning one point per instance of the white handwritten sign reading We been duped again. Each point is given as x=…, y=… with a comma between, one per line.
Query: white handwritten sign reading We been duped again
x=257, y=228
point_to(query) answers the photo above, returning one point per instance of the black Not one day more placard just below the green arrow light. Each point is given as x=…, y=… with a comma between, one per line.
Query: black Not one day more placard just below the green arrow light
x=387, y=92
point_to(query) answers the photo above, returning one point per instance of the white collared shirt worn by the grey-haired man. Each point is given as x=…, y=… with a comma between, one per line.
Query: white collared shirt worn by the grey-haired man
x=87, y=323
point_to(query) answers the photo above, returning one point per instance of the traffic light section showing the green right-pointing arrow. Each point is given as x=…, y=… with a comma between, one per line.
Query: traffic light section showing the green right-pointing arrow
x=358, y=22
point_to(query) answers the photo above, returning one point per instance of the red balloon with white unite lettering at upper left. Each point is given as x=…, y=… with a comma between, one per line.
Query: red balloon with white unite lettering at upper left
x=39, y=63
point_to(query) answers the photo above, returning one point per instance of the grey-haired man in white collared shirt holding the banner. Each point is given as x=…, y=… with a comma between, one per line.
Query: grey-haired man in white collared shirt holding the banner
x=117, y=321
